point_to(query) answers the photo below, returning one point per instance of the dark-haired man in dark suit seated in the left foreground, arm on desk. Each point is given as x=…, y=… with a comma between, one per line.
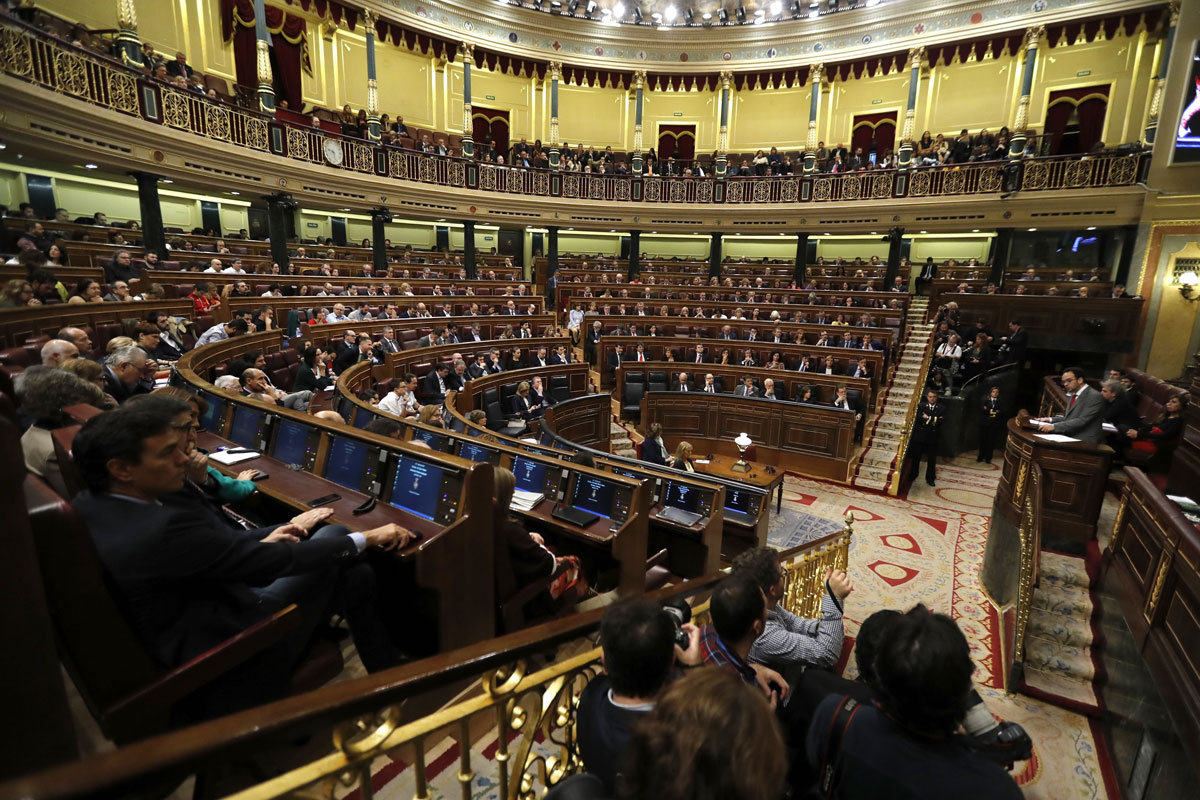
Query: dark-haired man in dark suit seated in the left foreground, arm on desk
x=185, y=579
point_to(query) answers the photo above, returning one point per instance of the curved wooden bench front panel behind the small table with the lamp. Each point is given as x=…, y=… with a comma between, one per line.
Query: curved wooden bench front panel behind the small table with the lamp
x=808, y=440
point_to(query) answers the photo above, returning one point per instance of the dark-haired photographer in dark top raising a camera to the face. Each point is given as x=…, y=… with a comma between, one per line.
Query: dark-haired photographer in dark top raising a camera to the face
x=640, y=652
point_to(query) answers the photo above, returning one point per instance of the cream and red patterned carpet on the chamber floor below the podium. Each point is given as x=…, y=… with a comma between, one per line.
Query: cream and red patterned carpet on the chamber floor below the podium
x=927, y=548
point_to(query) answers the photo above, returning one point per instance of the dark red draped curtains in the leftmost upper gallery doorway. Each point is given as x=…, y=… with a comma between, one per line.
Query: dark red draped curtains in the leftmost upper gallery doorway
x=289, y=47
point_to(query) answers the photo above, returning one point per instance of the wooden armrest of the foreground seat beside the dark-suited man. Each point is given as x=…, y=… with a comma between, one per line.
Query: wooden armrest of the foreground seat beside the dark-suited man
x=205, y=669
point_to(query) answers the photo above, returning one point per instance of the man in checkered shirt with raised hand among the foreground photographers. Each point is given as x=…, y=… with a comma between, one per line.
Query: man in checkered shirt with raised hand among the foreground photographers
x=790, y=642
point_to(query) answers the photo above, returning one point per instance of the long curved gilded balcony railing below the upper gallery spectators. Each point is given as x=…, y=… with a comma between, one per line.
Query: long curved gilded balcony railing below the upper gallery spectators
x=32, y=56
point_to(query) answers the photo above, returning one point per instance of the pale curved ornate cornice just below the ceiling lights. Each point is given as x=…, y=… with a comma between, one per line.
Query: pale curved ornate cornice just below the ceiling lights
x=891, y=27
